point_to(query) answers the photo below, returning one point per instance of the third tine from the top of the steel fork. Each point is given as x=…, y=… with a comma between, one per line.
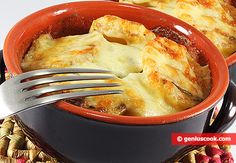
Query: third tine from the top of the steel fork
x=50, y=89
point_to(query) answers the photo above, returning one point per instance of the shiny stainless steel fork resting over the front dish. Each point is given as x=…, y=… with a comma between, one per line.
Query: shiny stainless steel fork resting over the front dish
x=18, y=94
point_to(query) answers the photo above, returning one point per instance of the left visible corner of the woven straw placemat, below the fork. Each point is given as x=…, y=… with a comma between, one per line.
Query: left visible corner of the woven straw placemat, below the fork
x=15, y=147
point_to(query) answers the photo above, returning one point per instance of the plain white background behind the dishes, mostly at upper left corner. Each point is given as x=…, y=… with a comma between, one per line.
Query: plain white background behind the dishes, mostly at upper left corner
x=11, y=11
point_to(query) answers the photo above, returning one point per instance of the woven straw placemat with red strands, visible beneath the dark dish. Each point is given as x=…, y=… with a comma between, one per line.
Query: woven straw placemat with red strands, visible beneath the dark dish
x=15, y=147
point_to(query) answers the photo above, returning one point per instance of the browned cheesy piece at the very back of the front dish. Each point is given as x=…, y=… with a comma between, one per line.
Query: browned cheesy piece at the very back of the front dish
x=132, y=33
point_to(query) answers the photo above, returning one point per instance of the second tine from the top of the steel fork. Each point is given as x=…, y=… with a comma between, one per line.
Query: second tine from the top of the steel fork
x=56, y=79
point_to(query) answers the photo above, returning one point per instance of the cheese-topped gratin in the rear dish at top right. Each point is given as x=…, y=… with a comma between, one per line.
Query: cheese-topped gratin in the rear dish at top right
x=208, y=16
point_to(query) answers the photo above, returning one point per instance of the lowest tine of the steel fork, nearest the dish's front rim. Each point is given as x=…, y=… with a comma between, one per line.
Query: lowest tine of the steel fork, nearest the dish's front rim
x=54, y=98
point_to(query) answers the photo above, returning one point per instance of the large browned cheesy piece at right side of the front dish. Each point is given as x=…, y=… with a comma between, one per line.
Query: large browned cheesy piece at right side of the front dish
x=169, y=67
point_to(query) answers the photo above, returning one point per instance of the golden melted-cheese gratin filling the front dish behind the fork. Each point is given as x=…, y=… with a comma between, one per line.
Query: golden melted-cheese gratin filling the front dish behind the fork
x=157, y=75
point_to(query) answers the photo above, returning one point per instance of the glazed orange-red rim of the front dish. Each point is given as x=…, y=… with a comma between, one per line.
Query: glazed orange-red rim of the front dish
x=219, y=67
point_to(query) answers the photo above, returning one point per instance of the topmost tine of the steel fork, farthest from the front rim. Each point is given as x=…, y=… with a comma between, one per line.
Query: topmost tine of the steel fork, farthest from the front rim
x=54, y=71
